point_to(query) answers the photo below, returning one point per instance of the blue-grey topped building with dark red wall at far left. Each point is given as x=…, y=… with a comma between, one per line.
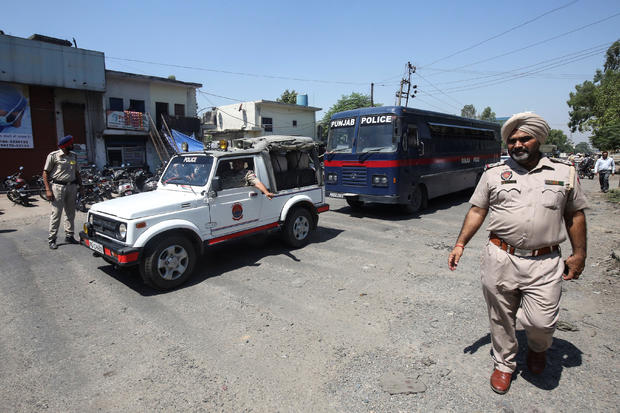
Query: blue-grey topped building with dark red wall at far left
x=48, y=89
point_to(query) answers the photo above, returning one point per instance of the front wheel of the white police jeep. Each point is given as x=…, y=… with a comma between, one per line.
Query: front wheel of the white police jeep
x=169, y=262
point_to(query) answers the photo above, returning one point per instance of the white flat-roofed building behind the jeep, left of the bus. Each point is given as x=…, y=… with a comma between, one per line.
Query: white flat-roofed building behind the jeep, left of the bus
x=257, y=118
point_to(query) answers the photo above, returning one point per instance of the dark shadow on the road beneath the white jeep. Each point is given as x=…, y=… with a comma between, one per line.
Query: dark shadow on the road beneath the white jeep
x=220, y=259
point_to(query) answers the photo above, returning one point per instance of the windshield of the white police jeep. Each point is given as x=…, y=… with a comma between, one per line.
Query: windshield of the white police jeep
x=191, y=170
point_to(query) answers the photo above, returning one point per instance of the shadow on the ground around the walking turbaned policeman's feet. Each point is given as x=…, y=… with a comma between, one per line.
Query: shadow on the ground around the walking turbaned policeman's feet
x=561, y=354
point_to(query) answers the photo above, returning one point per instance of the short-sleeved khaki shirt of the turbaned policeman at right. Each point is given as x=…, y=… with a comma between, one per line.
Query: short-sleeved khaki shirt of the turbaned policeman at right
x=527, y=207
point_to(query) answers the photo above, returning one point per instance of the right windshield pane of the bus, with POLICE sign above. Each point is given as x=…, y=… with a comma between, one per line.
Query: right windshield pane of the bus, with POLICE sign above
x=376, y=134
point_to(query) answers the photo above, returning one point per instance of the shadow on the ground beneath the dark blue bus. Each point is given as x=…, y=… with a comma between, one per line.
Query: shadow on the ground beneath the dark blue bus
x=391, y=212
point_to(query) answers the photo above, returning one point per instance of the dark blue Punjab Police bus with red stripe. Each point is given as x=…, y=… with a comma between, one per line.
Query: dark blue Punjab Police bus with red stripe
x=405, y=156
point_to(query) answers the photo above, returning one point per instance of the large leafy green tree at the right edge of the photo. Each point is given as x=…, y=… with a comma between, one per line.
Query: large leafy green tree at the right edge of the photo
x=595, y=105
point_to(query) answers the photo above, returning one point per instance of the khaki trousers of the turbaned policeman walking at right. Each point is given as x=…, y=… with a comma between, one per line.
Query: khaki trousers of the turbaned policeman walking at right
x=523, y=288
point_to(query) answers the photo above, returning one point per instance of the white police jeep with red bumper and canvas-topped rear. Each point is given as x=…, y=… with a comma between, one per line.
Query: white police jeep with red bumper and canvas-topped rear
x=164, y=232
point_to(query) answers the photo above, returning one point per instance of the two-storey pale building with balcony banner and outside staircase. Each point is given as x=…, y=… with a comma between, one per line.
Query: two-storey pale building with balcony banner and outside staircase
x=127, y=100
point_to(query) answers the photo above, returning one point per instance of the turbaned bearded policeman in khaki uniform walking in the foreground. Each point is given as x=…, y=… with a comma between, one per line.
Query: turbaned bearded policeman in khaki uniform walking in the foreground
x=530, y=199
